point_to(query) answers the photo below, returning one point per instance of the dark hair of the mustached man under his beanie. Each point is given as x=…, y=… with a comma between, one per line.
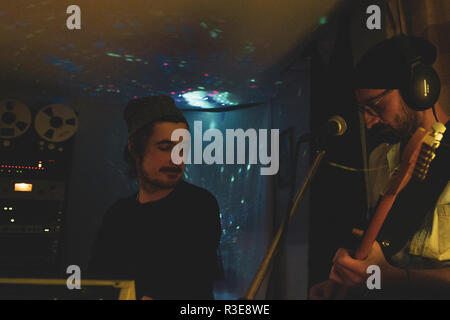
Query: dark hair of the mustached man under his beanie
x=138, y=143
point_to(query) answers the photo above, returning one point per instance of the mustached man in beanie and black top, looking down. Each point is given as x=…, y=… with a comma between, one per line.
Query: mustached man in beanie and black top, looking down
x=166, y=236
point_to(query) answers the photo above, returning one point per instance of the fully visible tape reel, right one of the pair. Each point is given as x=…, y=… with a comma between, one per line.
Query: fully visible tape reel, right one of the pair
x=56, y=123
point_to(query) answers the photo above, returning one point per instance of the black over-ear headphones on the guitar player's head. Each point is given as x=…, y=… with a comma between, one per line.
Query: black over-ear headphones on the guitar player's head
x=422, y=86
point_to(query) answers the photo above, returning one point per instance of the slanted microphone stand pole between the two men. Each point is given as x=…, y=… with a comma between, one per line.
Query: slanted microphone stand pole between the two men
x=282, y=230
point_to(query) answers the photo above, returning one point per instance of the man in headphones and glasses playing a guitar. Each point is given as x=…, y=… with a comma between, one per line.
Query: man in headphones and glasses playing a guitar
x=397, y=90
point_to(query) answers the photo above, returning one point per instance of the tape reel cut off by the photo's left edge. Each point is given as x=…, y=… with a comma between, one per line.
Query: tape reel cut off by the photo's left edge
x=15, y=119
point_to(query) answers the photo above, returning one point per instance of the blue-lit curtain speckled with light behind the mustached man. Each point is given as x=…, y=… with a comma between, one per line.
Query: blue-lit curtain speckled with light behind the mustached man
x=241, y=192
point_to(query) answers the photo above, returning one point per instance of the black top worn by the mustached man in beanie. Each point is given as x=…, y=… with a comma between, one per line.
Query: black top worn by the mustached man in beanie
x=169, y=247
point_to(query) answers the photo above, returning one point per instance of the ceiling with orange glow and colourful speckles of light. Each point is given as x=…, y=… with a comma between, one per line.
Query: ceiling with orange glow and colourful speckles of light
x=203, y=53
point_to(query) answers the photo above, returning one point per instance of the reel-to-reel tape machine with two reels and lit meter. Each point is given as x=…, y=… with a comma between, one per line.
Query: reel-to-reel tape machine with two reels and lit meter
x=35, y=162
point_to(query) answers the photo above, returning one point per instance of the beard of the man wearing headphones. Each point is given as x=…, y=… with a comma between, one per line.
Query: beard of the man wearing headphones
x=405, y=124
